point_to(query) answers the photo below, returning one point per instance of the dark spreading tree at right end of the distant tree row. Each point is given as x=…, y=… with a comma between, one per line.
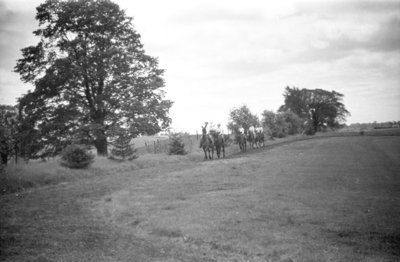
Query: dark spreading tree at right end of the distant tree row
x=317, y=107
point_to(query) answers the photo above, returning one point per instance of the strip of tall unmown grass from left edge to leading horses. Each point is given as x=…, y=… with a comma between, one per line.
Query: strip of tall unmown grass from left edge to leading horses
x=22, y=176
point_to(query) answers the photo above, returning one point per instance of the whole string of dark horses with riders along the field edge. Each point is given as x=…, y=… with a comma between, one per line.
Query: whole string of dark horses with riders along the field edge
x=217, y=142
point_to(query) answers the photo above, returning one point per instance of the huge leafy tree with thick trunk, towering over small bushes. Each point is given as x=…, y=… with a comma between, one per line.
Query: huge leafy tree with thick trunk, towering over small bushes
x=91, y=75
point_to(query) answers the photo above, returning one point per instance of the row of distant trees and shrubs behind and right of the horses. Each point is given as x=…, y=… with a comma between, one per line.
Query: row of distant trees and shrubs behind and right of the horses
x=304, y=110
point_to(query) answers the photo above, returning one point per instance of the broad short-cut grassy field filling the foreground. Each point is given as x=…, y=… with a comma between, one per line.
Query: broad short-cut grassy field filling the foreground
x=326, y=199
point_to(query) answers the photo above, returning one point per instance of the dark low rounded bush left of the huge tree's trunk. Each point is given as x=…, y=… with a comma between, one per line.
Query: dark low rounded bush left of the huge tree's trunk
x=76, y=156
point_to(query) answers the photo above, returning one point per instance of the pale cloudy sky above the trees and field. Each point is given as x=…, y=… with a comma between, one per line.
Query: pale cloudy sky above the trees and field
x=221, y=55
